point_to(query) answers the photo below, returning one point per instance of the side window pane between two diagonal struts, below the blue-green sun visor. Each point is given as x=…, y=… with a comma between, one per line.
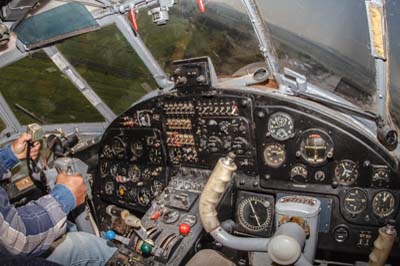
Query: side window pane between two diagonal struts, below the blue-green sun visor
x=110, y=65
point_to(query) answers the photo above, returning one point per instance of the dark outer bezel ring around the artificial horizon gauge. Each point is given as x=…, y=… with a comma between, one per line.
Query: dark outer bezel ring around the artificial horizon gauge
x=328, y=139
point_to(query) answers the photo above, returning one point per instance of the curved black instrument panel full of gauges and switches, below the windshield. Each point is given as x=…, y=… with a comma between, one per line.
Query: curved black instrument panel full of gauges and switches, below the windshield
x=281, y=146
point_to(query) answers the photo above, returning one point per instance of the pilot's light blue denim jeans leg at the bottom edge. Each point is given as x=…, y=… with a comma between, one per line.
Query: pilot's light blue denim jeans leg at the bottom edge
x=81, y=249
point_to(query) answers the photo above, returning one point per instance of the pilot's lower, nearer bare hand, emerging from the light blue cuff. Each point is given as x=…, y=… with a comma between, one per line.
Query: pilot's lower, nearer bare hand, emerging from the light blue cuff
x=75, y=184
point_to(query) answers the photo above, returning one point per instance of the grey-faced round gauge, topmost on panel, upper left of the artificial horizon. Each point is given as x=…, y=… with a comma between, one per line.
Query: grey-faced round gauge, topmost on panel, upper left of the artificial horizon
x=280, y=126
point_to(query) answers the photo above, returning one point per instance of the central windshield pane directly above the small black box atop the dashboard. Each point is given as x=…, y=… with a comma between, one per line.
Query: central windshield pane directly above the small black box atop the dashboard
x=223, y=32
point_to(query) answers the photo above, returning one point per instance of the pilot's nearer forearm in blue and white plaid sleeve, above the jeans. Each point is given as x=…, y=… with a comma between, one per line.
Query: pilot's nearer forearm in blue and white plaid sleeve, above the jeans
x=31, y=229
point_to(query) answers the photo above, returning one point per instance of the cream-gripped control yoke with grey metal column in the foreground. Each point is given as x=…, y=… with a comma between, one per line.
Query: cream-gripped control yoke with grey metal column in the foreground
x=295, y=239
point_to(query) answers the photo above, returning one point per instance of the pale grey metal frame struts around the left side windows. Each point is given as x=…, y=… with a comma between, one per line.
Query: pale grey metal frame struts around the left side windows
x=14, y=127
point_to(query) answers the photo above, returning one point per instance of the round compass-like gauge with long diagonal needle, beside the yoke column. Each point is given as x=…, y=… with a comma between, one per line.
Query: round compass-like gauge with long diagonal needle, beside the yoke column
x=254, y=214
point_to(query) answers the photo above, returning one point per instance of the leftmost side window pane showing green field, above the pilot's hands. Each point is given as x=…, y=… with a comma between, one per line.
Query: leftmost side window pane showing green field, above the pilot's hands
x=37, y=91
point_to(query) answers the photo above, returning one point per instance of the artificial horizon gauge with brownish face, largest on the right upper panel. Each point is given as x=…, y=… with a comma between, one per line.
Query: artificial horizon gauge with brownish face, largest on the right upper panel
x=316, y=146
